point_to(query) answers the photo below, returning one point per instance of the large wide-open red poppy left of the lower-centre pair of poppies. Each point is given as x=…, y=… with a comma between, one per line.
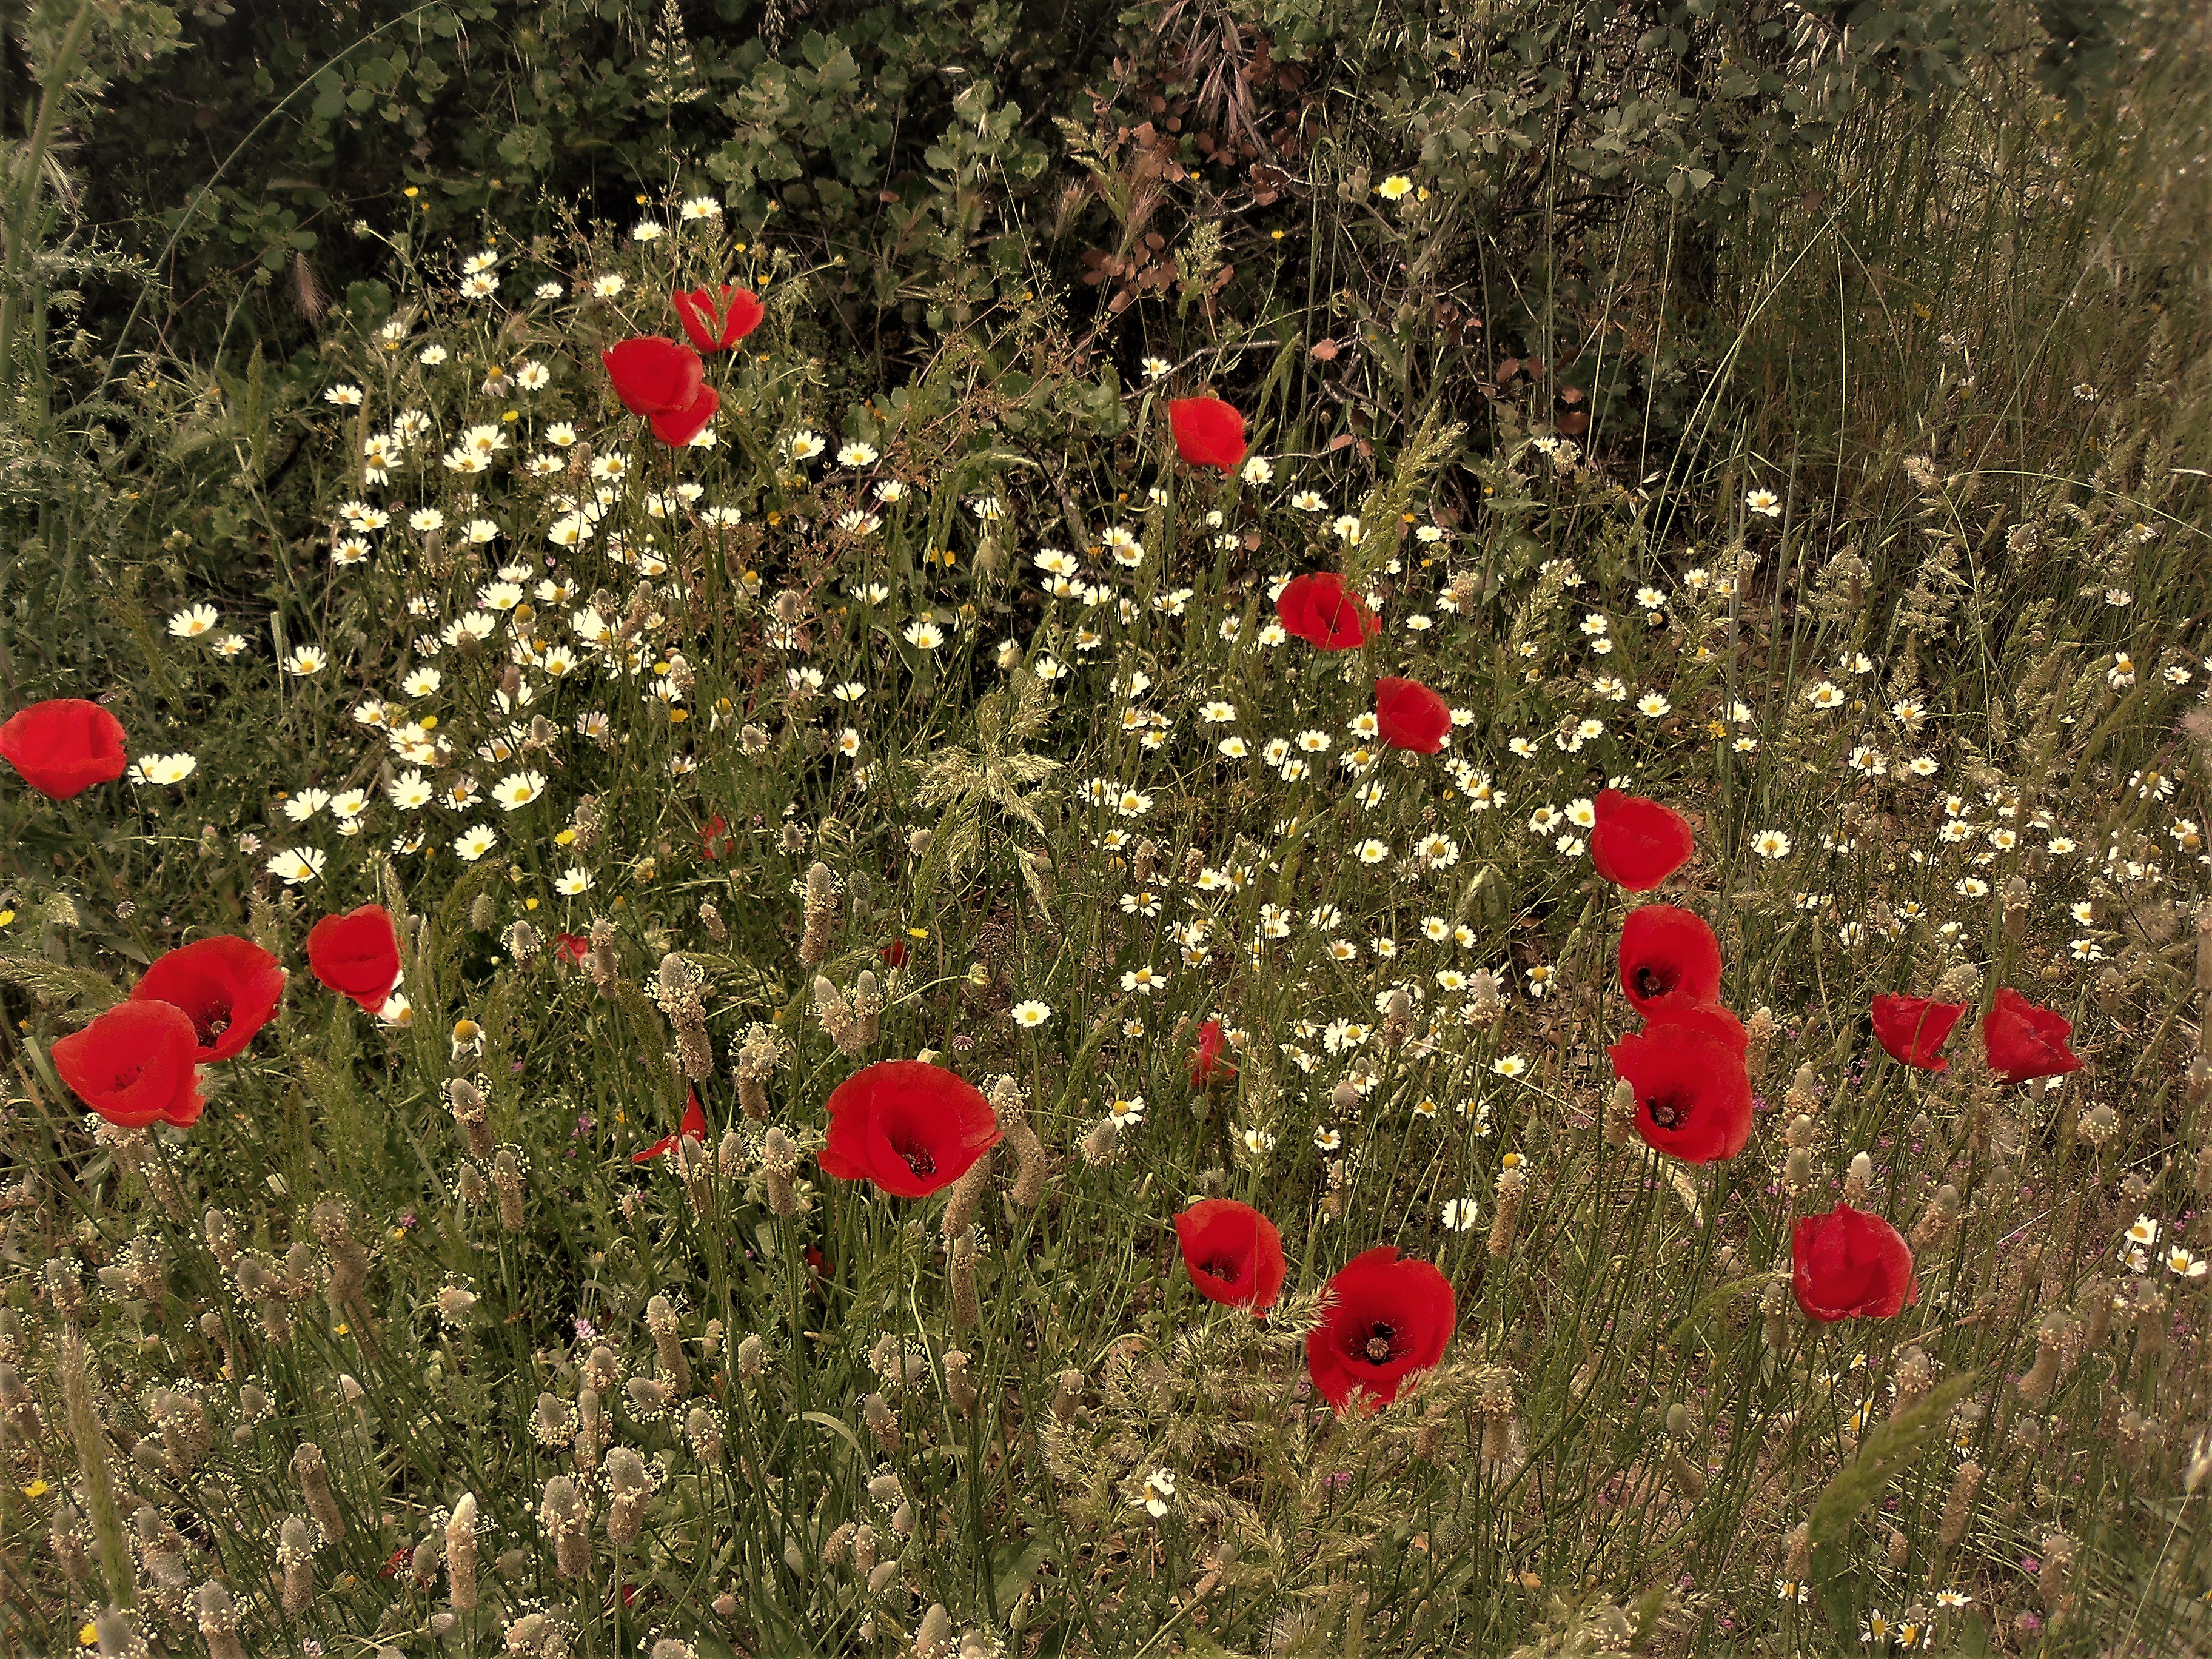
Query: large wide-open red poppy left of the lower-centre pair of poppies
x=908, y=1127
